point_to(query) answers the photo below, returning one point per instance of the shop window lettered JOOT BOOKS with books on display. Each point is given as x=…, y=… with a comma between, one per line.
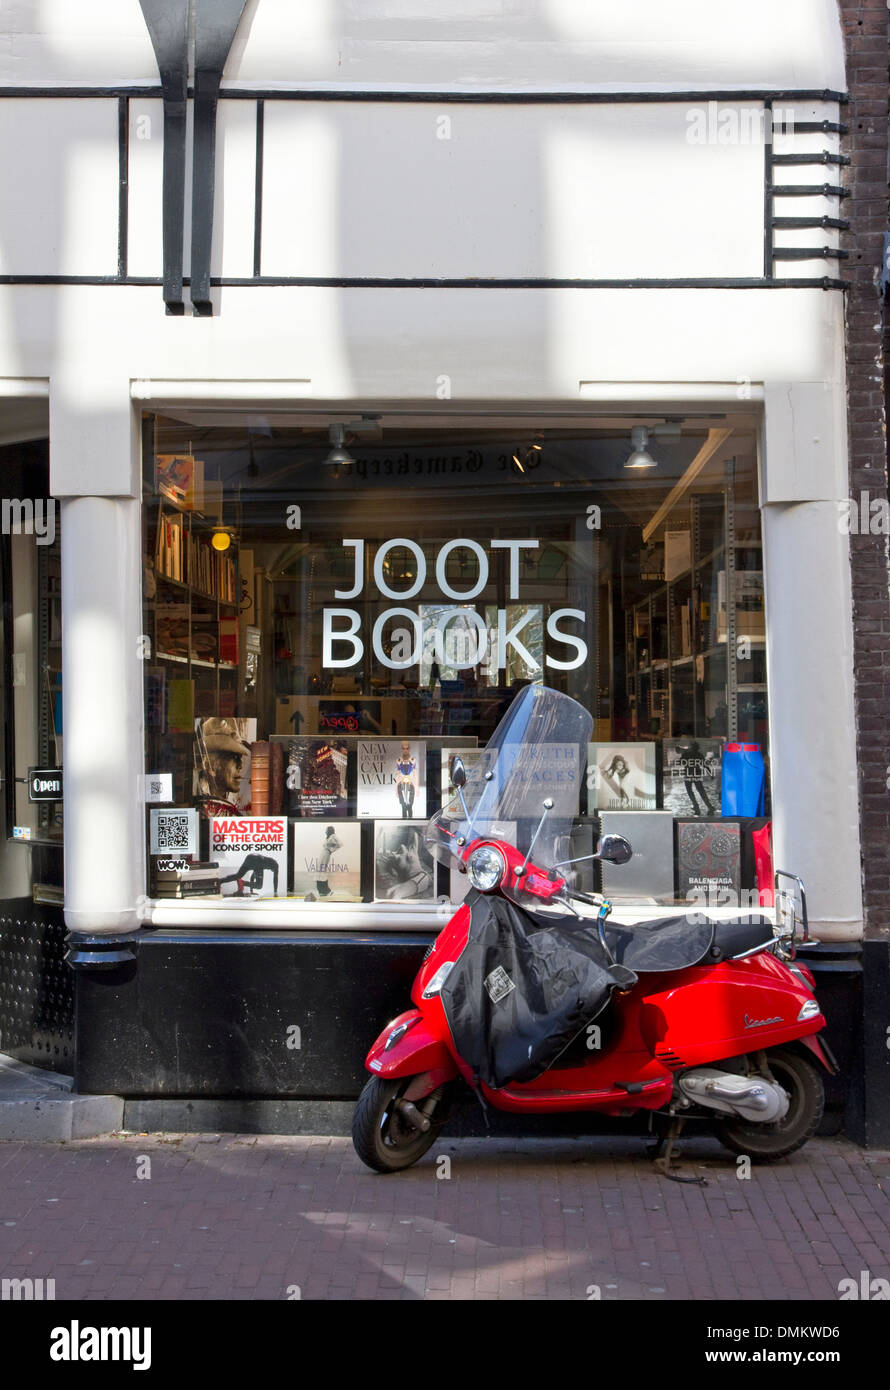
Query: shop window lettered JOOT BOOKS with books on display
x=325, y=637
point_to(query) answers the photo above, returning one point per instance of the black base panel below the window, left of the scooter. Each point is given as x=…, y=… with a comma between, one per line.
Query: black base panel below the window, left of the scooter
x=243, y=1014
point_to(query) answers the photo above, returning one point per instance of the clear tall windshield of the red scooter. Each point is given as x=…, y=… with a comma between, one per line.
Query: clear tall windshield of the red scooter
x=526, y=787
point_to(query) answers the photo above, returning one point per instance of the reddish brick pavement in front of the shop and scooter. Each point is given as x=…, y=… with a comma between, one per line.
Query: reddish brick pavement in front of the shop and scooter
x=247, y=1217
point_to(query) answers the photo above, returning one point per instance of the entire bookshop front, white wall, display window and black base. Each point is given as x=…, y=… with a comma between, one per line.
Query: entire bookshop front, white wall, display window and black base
x=574, y=312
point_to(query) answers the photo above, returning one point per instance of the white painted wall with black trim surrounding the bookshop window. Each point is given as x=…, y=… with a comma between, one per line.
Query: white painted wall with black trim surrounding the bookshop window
x=433, y=190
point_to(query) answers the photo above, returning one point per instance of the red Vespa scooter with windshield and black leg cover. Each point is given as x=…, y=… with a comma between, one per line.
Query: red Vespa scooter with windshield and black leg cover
x=543, y=1006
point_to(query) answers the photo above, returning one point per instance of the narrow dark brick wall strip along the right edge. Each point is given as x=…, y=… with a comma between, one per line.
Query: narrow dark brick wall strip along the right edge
x=866, y=41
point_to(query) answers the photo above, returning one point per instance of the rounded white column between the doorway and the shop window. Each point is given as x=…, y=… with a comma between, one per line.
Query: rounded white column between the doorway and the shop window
x=102, y=694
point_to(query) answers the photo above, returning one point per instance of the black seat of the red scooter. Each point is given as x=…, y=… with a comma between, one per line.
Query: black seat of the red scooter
x=677, y=943
